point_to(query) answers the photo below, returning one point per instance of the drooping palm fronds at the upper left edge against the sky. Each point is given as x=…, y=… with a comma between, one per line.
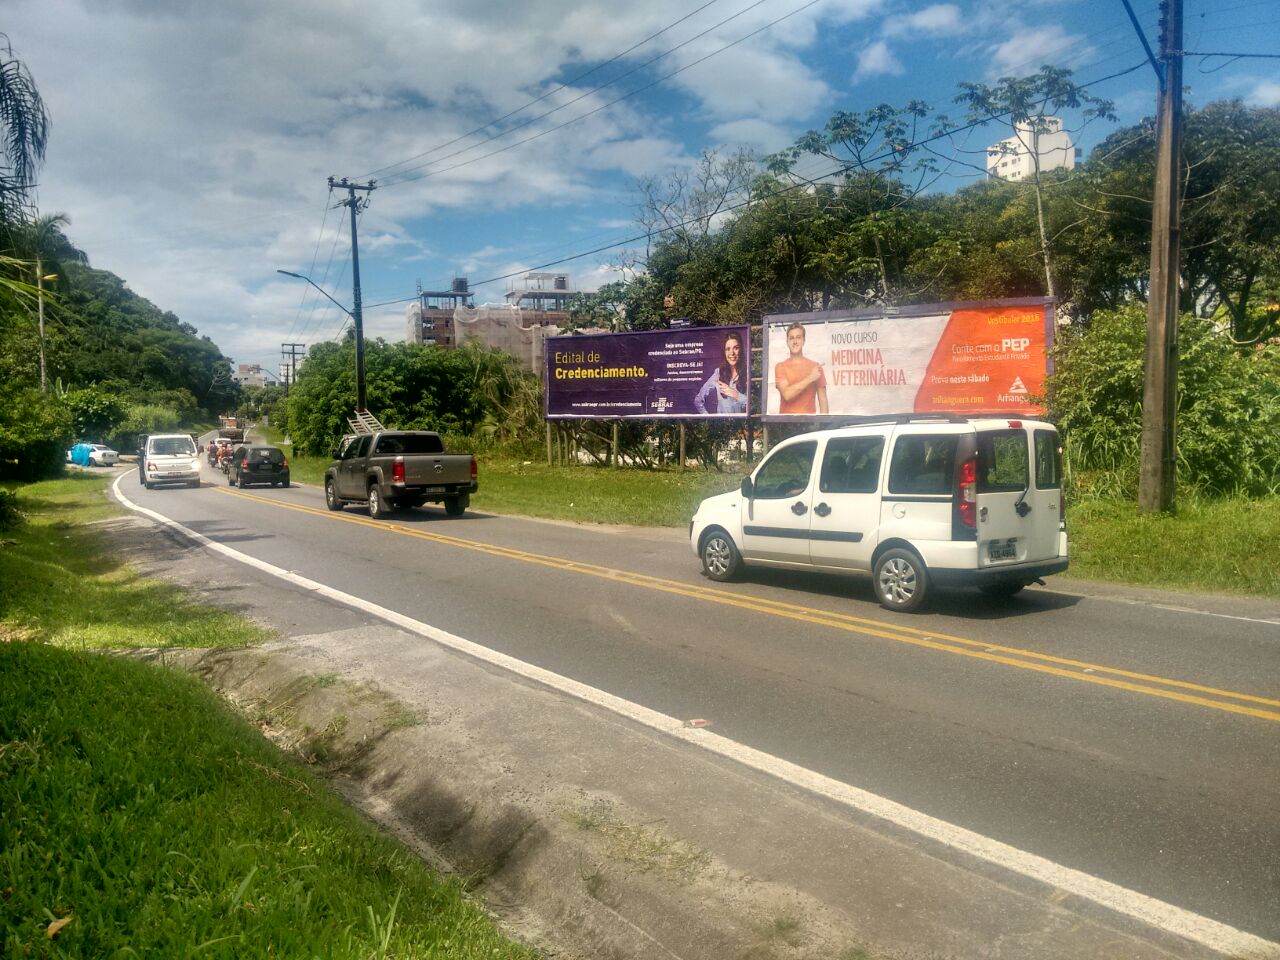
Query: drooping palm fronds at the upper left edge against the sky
x=24, y=132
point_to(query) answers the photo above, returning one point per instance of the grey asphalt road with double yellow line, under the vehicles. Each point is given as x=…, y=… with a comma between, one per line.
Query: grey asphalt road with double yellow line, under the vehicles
x=1133, y=740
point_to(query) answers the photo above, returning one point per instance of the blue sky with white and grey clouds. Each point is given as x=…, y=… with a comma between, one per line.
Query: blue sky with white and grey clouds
x=193, y=140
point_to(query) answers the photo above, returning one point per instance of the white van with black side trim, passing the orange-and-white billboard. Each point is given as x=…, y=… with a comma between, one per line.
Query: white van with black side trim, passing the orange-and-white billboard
x=917, y=502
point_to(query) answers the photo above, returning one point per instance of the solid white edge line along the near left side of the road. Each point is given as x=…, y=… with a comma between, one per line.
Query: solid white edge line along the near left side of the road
x=1209, y=934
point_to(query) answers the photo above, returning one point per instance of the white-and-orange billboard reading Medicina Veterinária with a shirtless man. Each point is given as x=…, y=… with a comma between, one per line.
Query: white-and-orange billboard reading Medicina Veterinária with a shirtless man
x=989, y=358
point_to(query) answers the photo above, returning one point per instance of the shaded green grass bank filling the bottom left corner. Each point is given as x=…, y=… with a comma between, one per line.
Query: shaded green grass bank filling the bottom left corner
x=162, y=825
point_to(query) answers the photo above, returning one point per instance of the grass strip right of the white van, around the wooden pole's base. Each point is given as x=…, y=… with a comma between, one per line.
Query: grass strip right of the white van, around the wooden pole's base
x=1214, y=546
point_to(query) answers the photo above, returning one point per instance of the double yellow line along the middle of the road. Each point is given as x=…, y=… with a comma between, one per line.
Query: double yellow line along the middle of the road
x=1132, y=682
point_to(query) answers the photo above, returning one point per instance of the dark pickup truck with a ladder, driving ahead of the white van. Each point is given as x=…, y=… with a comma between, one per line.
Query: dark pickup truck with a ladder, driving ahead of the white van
x=400, y=469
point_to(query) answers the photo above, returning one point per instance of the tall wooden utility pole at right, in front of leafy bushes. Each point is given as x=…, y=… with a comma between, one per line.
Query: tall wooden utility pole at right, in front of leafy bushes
x=1156, y=482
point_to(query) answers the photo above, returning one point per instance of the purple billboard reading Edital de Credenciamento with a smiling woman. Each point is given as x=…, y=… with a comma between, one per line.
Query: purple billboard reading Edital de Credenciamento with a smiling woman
x=694, y=373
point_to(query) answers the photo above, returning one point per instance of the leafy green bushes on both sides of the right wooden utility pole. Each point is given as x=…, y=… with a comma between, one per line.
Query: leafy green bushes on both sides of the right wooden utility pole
x=1228, y=408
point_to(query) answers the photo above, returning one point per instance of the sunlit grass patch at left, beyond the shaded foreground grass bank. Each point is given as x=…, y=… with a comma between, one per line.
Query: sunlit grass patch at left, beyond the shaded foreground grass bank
x=61, y=584
